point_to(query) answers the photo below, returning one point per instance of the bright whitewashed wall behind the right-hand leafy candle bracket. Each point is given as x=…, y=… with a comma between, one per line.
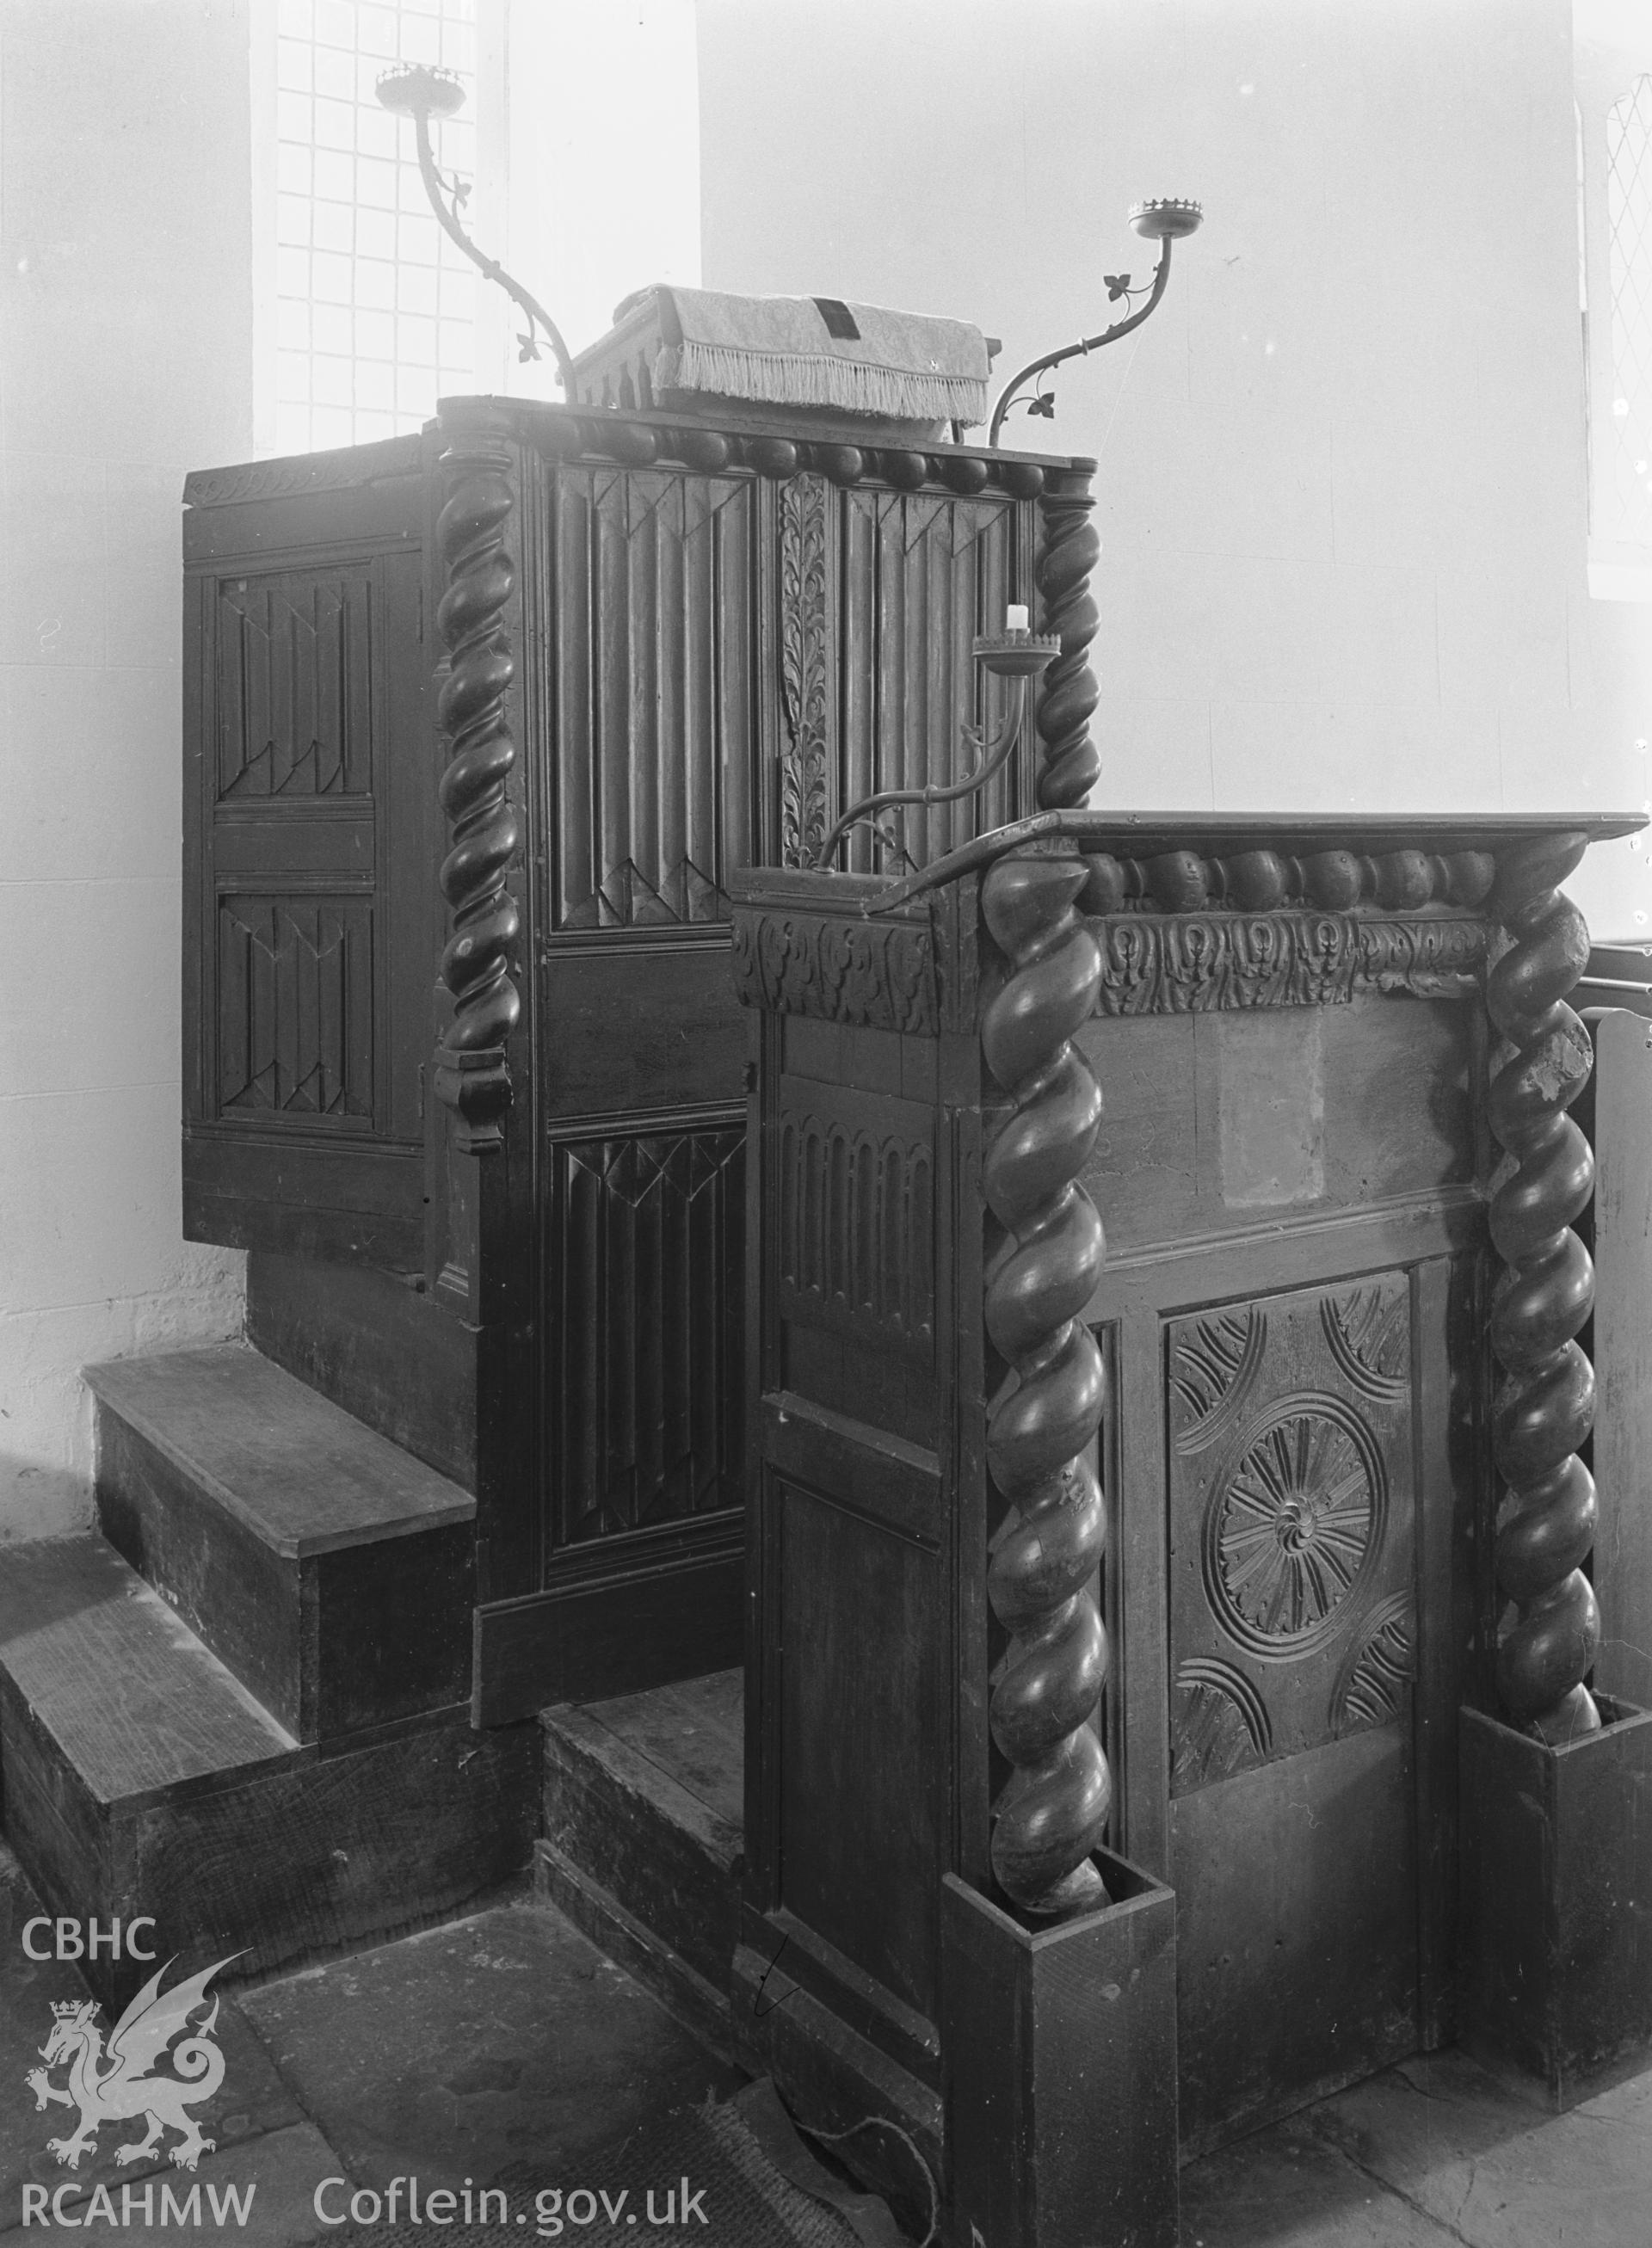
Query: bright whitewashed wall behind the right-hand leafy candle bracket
x=1343, y=469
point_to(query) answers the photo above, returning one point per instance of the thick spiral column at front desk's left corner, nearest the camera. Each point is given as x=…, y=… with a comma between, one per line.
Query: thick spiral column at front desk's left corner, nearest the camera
x=1049, y=1685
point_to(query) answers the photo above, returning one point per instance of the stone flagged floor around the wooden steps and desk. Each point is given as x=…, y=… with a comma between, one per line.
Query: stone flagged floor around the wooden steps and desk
x=507, y=2038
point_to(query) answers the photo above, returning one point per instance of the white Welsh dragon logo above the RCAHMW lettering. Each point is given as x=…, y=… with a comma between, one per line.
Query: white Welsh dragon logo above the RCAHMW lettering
x=116, y=2085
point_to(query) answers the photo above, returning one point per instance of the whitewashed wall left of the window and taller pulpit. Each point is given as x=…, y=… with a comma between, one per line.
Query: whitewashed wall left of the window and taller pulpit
x=125, y=361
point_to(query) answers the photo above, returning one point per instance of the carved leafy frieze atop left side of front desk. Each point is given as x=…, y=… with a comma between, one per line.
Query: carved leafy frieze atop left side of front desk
x=873, y=975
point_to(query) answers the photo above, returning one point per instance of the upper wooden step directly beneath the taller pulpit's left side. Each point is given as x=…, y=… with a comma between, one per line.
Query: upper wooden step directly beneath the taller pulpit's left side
x=329, y=1570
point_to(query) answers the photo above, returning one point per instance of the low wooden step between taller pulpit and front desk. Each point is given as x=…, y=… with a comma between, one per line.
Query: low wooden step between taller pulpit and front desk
x=644, y=1835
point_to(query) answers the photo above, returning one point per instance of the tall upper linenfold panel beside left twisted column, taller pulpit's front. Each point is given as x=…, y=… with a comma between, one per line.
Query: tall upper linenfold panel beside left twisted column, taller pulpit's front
x=653, y=745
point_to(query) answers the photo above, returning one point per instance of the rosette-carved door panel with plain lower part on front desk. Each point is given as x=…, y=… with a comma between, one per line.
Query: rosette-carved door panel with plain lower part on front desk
x=1294, y=1633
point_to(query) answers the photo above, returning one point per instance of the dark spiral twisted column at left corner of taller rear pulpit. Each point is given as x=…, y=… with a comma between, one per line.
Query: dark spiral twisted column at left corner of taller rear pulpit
x=473, y=1076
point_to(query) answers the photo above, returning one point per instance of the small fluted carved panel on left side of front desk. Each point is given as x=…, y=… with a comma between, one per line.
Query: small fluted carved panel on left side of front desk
x=857, y=1217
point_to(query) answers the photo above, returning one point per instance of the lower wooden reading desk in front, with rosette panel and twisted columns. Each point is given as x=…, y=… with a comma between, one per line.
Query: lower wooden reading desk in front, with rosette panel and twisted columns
x=1168, y=1604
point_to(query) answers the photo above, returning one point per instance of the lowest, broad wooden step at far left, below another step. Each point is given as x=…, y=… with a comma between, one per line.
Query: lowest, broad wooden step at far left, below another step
x=140, y=1777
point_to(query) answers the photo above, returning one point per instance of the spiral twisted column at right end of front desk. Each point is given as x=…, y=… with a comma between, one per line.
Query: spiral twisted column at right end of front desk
x=1545, y=1404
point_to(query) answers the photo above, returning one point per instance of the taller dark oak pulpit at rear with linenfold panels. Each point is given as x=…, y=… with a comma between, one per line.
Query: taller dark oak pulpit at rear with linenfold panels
x=482, y=729
